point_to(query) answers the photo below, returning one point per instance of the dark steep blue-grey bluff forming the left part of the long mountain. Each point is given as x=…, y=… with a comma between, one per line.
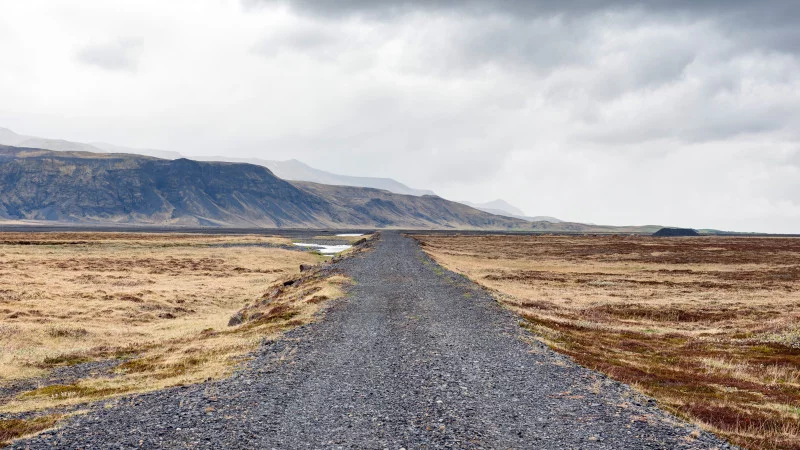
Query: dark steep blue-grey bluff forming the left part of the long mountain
x=90, y=187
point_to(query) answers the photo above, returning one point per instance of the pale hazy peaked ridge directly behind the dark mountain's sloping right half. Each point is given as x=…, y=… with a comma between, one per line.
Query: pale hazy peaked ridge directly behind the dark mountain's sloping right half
x=297, y=171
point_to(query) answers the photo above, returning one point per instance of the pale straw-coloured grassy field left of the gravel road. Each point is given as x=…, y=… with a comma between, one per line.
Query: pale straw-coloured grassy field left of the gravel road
x=158, y=304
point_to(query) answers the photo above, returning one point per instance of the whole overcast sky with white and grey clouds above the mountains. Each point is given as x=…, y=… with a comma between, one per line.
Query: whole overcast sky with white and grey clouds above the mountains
x=677, y=113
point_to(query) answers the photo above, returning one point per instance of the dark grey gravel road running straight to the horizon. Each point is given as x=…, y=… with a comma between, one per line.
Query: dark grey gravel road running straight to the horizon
x=414, y=357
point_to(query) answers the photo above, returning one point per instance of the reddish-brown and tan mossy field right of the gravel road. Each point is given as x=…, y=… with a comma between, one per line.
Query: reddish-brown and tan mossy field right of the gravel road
x=709, y=326
